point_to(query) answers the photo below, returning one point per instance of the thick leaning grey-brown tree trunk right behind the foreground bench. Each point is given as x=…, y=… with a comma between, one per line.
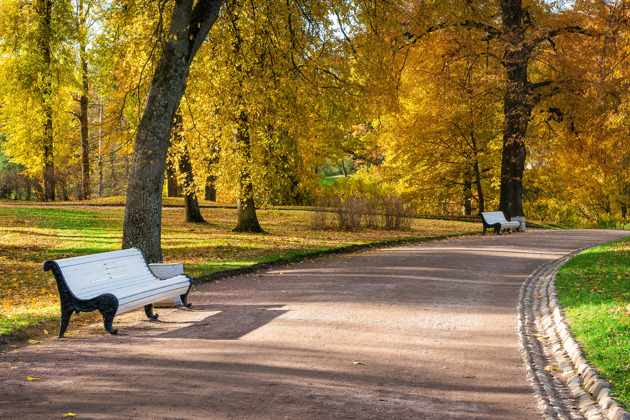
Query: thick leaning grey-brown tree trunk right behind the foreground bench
x=143, y=212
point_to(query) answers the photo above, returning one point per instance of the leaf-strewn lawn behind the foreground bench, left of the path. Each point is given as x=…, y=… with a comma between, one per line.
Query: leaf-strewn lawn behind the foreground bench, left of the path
x=31, y=234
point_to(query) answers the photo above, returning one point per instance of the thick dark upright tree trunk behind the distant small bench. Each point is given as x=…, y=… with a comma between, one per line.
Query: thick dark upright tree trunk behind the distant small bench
x=517, y=108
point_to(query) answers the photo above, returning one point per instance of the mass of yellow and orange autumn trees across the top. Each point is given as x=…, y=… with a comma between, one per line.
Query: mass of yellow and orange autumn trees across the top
x=457, y=106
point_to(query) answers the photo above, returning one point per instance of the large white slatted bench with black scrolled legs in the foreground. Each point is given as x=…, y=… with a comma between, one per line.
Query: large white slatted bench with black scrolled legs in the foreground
x=112, y=283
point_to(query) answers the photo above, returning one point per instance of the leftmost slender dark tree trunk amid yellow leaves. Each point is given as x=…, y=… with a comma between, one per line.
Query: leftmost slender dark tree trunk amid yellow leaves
x=45, y=14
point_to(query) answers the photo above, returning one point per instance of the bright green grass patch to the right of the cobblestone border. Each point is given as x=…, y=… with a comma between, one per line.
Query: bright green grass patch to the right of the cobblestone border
x=594, y=291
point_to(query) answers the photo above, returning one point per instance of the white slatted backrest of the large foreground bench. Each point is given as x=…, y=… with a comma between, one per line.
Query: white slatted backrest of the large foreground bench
x=91, y=275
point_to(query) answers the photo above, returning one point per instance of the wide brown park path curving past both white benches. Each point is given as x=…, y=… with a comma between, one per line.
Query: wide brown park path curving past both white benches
x=415, y=332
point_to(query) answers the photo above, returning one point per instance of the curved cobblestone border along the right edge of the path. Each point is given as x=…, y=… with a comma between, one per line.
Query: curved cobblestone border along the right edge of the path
x=566, y=386
